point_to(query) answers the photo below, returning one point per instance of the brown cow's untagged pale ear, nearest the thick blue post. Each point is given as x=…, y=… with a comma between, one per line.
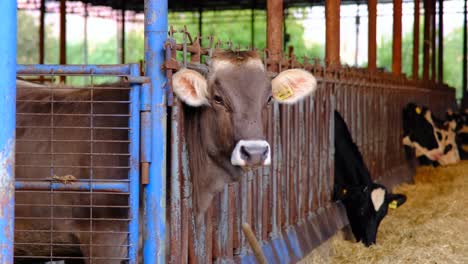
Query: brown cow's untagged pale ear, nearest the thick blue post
x=190, y=87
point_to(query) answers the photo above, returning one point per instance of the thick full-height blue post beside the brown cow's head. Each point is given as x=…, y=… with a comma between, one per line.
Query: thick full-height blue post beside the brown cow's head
x=154, y=250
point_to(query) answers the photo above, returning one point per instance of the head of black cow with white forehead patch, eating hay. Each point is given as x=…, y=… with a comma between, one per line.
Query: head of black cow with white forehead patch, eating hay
x=366, y=206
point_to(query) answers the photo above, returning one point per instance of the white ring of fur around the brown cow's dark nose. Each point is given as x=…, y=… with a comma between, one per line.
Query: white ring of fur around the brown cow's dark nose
x=238, y=159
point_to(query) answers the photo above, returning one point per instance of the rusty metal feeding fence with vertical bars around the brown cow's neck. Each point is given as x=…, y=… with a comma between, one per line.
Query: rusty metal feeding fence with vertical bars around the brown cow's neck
x=289, y=204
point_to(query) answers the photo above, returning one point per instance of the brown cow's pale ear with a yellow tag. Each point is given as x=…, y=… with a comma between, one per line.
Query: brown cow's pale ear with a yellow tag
x=293, y=85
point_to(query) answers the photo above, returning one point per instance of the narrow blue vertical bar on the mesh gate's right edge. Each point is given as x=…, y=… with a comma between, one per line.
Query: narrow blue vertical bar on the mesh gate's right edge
x=134, y=173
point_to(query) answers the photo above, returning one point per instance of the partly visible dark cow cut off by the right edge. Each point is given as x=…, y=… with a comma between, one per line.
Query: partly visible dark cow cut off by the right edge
x=461, y=130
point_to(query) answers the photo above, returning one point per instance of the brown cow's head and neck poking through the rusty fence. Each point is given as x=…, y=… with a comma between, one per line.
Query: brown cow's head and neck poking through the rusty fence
x=226, y=114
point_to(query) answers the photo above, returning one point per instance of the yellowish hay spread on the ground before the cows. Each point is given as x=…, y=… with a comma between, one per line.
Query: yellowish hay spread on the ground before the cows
x=431, y=227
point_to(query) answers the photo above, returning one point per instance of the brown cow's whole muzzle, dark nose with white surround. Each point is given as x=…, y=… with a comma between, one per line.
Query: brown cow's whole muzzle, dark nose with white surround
x=251, y=153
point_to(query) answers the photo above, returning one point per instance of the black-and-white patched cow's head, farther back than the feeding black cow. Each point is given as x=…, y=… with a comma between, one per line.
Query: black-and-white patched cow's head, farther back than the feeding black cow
x=420, y=133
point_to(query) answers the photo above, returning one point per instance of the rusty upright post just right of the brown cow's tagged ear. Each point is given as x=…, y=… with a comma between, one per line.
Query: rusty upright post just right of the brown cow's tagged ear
x=332, y=32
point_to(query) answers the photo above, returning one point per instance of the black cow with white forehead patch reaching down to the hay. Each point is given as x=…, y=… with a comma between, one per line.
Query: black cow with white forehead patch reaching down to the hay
x=366, y=202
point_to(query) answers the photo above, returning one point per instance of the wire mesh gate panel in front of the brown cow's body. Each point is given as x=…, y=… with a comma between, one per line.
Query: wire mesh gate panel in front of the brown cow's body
x=76, y=171
